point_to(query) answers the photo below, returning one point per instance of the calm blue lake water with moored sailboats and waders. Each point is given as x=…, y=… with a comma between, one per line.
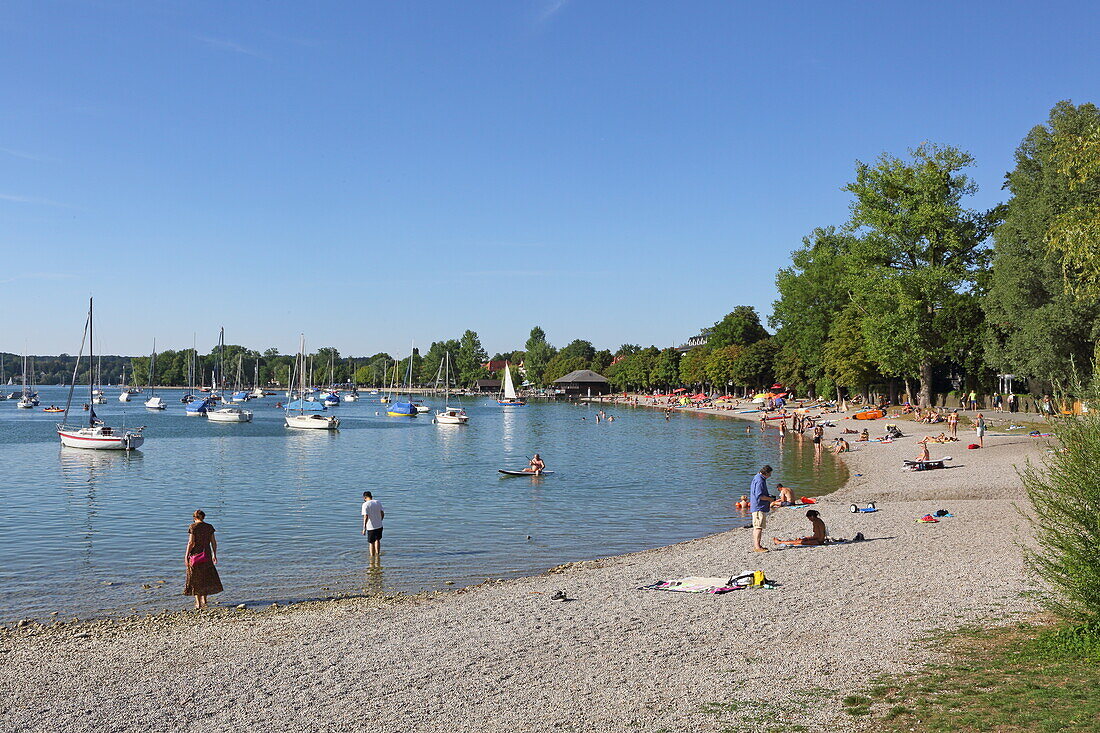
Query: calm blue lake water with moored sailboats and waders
x=86, y=531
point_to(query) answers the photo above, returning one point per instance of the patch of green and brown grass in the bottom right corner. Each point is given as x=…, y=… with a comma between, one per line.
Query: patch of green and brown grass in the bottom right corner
x=1017, y=679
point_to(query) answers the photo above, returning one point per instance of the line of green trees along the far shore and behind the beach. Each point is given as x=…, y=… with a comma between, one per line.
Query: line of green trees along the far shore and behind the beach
x=916, y=293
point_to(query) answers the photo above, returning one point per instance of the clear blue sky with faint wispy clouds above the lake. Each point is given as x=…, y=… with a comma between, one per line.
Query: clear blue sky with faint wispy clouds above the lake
x=372, y=173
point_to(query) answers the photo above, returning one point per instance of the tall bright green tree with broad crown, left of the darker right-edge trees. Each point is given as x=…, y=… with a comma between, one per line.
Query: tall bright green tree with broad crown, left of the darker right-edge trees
x=917, y=259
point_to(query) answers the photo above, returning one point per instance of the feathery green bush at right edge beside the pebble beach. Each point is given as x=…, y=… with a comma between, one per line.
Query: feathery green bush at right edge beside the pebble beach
x=1064, y=490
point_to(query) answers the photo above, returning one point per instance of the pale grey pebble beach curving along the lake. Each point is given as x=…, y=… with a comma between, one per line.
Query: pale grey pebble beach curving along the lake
x=505, y=658
